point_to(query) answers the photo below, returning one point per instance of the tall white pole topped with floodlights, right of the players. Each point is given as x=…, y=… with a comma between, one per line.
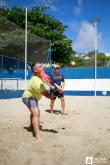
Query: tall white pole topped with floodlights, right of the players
x=95, y=22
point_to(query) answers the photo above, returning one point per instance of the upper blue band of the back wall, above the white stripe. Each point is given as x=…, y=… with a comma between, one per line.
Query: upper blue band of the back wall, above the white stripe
x=69, y=73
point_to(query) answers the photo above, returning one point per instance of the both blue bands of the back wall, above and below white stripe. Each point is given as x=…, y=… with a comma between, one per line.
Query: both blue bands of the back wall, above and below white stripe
x=69, y=73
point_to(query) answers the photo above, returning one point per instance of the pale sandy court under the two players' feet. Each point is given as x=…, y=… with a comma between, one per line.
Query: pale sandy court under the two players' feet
x=66, y=140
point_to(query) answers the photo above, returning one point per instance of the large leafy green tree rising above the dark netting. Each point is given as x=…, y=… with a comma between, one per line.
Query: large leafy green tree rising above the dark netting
x=45, y=26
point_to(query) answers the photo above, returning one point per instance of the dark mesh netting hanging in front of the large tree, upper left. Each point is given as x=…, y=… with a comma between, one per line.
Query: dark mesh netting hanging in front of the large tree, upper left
x=12, y=47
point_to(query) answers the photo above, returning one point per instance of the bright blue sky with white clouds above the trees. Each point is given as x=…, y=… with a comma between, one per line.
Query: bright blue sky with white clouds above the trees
x=77, y=15
